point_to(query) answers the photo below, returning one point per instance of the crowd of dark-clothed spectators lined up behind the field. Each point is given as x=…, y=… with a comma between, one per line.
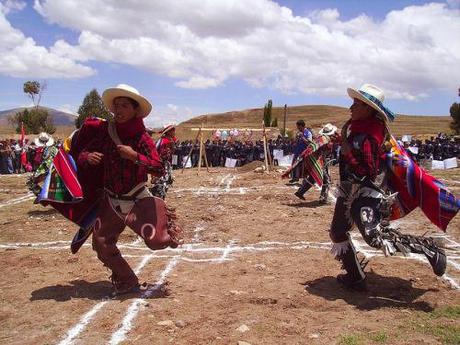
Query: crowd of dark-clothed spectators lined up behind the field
x=438, y=147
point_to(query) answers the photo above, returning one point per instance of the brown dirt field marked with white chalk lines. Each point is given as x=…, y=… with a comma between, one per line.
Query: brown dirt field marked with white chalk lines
x=255, y=268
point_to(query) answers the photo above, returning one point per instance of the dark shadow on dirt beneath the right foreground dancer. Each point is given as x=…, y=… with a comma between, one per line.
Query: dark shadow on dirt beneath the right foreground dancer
x=382, y=292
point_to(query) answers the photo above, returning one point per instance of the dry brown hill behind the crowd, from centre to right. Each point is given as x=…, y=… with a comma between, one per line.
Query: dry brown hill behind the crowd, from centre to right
x=315, y=116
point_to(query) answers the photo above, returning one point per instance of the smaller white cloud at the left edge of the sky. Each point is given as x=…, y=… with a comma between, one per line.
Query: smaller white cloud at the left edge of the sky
x=20, y=56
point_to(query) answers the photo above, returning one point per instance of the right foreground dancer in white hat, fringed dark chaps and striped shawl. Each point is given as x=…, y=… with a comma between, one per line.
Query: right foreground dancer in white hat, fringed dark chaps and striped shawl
x=363, y=198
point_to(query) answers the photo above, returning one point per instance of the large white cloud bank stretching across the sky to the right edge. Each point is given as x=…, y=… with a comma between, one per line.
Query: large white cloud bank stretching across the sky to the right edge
x=204, y=43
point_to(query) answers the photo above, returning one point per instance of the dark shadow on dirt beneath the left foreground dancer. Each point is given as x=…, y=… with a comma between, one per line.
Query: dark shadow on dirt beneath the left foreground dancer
x=94, y=291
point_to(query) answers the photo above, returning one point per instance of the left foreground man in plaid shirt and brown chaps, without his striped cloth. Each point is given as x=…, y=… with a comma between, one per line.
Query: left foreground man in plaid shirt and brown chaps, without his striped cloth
x=127, y=155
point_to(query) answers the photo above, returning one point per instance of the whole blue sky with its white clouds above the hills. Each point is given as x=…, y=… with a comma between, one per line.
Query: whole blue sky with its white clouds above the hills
x=308, y=56
